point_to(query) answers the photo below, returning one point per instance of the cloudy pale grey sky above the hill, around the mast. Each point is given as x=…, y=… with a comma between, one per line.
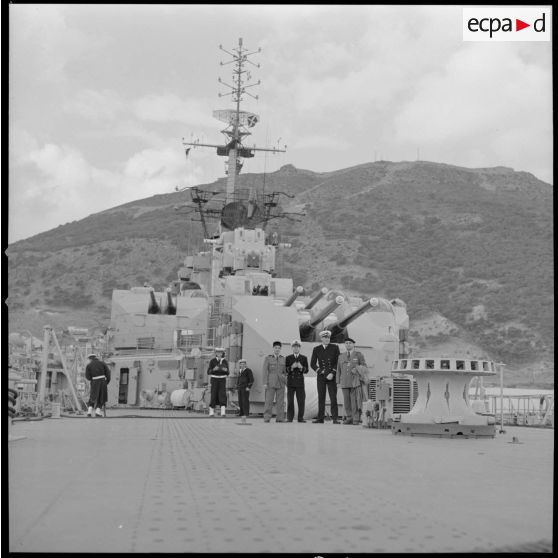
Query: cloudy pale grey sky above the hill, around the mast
x=102, y=95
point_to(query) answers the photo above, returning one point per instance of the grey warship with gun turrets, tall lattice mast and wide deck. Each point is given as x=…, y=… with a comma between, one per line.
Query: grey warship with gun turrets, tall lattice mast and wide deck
x=429, y=469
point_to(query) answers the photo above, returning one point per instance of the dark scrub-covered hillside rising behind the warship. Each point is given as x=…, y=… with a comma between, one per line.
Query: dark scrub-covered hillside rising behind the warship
x=471, y=248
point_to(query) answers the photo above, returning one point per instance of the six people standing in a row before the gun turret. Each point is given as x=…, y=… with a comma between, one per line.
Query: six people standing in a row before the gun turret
x=333, y=368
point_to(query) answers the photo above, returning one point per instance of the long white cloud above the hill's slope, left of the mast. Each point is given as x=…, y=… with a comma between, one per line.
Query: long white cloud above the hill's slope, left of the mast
x=65, y=187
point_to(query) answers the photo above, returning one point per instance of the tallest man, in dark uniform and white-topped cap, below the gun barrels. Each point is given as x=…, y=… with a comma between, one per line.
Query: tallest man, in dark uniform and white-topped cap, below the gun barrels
x=324, y=362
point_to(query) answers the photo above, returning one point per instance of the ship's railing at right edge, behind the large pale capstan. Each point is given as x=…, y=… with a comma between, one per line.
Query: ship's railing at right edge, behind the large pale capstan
x=520, y=410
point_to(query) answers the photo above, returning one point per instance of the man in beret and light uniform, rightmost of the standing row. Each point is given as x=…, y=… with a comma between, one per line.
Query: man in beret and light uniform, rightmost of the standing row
x=349, y=380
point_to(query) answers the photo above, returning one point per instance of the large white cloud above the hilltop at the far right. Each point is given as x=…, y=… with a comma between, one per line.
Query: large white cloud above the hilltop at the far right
x=468, y=104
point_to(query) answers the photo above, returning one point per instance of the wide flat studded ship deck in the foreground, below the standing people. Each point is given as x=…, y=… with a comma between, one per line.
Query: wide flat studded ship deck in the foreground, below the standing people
x=171, y=482
